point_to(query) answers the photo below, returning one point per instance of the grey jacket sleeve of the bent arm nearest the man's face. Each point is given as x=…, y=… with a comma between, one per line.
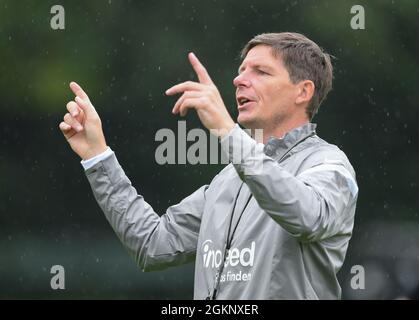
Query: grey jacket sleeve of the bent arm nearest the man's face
x=316, y=204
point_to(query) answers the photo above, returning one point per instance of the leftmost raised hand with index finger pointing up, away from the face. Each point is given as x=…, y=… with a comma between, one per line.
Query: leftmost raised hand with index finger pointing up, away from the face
x=82, y=127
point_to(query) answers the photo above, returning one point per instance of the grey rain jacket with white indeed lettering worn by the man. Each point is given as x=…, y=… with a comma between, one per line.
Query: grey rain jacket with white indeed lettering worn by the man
x=286, y=239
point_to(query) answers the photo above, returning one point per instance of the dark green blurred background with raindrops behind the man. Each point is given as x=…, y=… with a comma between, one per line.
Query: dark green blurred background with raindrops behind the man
x=126, y=54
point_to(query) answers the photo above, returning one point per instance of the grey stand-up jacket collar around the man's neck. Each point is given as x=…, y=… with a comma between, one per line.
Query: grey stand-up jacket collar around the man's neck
x=277, y=147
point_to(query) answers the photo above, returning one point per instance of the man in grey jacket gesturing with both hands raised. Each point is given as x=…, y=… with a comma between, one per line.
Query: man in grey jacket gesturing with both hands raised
x=280, y=232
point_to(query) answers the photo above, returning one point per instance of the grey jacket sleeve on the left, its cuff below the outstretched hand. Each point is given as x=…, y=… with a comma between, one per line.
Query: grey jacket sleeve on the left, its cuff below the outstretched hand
x=155, y=242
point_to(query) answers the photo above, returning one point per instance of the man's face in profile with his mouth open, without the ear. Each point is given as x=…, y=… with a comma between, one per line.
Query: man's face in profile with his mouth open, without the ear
x=265, y=95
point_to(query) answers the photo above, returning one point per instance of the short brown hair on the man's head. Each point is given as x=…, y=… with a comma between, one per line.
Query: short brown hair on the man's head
x=303, y=59
